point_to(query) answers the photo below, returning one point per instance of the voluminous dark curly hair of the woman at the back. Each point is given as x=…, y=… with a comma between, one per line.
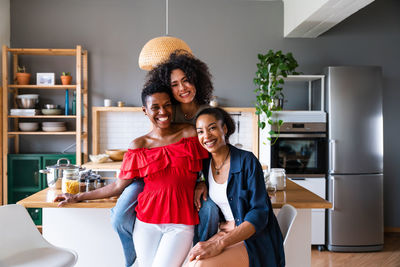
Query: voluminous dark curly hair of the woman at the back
x=195, y=70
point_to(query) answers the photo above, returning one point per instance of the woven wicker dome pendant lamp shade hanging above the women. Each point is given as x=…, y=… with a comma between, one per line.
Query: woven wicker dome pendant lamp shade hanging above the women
x=158, y=50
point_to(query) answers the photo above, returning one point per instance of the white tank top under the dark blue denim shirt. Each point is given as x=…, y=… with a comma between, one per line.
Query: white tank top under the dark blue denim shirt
x=218, y=194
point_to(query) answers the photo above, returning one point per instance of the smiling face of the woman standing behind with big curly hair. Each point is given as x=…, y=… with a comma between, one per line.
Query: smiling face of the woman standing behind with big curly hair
x=182, y=90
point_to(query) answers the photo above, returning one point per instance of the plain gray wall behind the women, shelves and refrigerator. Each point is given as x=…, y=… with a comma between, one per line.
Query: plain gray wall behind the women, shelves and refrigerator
x=227, y=35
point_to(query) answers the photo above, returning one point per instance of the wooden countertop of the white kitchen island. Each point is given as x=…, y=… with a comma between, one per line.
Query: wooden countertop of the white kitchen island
x=294, y=194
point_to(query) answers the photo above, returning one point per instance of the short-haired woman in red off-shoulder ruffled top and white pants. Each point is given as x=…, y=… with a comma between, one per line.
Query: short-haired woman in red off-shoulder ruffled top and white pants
x=168, y=159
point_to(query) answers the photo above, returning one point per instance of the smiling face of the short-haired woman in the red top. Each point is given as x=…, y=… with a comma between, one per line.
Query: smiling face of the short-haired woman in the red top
x=159, y=109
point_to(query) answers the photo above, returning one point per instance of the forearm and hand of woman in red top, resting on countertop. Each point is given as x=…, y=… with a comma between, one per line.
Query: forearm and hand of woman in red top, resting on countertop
x=110, y=190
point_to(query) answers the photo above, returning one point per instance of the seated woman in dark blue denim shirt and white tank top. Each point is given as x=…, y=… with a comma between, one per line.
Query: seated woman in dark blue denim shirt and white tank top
x=249, y=234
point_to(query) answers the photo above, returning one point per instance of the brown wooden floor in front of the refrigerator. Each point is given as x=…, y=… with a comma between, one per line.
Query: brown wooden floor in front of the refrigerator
x=389, y=257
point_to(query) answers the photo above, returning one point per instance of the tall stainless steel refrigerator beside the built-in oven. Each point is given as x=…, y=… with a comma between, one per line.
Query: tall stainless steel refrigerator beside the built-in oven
x=355, y=158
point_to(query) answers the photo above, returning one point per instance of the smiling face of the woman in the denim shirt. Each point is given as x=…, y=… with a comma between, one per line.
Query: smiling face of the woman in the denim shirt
x=211, y=133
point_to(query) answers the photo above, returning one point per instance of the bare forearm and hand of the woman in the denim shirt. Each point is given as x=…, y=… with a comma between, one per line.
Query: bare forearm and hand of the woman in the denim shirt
x=216, y=244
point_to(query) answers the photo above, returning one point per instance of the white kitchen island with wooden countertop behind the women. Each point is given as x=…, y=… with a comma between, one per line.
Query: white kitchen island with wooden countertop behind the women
x=85, y=227
